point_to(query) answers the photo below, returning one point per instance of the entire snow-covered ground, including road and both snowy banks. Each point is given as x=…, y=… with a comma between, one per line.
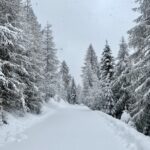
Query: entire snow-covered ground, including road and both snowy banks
x=65, y=127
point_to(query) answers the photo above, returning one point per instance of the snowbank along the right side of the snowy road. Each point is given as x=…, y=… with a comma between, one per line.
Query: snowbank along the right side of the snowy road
x=131, y=138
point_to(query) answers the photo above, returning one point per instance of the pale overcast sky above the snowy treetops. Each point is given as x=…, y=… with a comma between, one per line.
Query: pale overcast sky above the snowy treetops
x=77, y=23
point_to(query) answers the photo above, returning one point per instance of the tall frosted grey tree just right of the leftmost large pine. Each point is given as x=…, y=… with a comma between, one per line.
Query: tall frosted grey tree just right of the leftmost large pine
x=31, y=43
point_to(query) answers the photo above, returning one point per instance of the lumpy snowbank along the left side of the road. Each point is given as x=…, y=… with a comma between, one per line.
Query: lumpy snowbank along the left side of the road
x=17, y=125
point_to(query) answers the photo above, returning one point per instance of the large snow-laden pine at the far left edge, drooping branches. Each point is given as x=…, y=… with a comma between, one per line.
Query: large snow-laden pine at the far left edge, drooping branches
x=19, y=90
